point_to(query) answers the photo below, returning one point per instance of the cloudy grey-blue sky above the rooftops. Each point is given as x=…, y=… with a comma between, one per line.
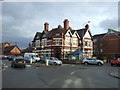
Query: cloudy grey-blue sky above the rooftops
x=21, y=20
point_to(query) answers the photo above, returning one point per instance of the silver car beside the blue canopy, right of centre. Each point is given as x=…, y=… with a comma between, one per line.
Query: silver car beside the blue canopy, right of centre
x=87, y=61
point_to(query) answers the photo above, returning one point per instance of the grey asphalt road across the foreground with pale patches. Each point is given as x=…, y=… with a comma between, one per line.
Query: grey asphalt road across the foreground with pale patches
x=65, y=76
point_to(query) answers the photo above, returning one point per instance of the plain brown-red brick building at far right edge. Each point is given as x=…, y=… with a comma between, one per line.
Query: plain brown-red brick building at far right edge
x=107, y=44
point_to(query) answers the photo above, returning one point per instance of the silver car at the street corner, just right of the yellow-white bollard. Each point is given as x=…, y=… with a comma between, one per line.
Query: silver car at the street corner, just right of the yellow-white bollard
x=53, y=61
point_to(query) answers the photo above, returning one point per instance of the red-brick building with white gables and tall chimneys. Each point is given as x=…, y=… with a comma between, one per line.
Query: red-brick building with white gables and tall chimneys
x=60, y=41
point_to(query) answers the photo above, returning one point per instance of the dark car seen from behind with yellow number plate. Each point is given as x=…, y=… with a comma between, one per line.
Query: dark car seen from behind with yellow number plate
x=18, y=63
